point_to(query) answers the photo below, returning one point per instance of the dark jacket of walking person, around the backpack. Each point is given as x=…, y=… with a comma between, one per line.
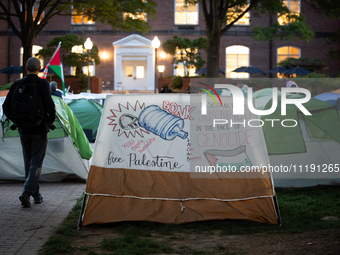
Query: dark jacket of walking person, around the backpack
x=48, y=104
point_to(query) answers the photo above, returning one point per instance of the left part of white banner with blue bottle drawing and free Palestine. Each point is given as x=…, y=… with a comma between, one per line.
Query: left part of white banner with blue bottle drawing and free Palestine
x=148, y=132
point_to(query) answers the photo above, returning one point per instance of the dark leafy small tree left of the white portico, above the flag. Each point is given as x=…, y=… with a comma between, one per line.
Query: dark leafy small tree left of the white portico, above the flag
x=70, y=58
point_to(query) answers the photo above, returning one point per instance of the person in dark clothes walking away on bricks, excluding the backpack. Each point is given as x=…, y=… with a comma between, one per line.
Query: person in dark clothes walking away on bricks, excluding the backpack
x=33, y=139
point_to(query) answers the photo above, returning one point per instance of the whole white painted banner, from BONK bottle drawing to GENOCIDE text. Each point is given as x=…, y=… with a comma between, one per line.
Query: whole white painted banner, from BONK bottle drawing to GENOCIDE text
x=169, y=133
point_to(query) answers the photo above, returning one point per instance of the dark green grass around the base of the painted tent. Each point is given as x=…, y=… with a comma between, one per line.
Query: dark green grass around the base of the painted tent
x=302, y=210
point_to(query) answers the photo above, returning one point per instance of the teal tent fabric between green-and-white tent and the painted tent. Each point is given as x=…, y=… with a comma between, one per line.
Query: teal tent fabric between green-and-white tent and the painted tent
x=88, y=113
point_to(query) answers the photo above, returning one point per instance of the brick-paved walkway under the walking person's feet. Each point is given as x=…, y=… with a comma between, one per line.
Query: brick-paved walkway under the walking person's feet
x=25, y=230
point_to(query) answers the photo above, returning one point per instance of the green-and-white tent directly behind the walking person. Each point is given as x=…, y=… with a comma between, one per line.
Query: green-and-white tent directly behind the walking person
x=67, y=147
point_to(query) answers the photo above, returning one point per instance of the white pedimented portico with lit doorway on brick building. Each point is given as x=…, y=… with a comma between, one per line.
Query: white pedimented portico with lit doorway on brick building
x=134, y=64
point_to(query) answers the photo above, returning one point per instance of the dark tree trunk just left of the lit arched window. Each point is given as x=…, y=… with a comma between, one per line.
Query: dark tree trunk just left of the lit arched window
x=213, y=53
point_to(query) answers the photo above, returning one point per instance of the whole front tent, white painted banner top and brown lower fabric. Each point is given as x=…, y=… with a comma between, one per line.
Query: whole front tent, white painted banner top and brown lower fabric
x=150, y=160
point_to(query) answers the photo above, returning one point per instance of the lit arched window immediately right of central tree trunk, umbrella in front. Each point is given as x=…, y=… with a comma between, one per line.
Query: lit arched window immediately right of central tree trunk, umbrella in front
x=236, y=56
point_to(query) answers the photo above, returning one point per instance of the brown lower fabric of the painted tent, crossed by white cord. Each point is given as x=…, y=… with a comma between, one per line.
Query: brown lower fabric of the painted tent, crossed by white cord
x=166, y=197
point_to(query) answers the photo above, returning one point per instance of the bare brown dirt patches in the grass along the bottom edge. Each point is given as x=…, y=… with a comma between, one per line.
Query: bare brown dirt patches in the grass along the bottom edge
x=317, y=242
